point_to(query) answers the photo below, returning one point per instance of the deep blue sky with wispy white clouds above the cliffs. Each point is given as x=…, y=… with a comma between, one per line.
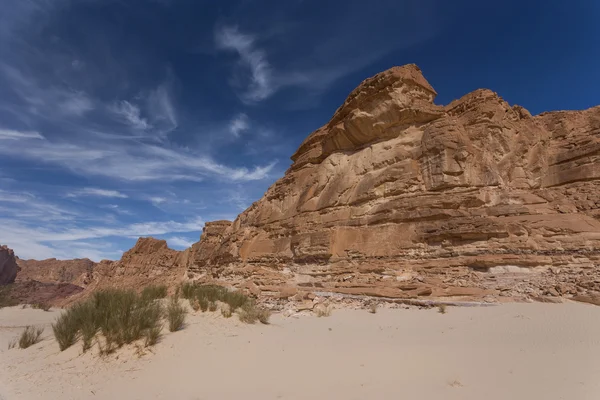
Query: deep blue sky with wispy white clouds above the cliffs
x=127, y=118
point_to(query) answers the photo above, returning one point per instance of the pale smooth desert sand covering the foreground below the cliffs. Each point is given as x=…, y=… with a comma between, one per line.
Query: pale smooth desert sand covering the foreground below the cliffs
x=513, y=351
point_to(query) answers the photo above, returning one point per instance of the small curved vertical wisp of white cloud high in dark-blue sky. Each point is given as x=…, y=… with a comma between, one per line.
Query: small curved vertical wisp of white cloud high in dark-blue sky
x=261, y=84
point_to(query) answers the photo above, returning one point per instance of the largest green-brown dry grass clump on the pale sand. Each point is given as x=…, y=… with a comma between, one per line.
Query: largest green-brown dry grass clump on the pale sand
x=119, y=316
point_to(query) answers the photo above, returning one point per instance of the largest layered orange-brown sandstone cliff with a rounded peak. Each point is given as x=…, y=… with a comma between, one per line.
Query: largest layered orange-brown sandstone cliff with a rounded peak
x=397, y=196
